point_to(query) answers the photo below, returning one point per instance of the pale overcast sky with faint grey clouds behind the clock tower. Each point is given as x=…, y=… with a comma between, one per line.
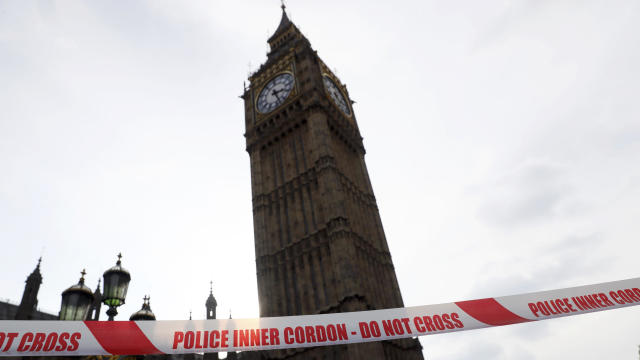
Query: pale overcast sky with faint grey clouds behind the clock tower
x=502, y=137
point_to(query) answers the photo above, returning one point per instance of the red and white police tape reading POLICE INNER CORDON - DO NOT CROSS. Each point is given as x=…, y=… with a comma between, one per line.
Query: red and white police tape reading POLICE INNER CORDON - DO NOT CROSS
x=56, y=338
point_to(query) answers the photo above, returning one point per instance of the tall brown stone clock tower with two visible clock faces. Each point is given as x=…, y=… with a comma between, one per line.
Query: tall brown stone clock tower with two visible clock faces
x=319, y=242
